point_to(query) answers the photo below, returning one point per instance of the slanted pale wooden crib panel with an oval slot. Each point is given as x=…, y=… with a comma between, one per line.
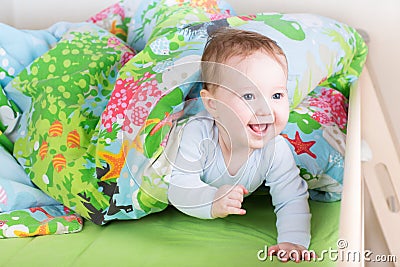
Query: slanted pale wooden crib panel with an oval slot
x=381, y=166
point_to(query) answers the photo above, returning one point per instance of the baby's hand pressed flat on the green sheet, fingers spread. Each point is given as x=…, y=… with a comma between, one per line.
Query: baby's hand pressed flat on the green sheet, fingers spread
x=288, y=251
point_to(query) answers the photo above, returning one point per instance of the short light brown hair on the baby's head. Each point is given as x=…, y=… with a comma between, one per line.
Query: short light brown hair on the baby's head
x=225, y=43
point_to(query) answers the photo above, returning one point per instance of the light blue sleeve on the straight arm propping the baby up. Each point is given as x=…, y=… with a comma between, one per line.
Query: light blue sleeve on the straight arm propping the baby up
x=289, y=197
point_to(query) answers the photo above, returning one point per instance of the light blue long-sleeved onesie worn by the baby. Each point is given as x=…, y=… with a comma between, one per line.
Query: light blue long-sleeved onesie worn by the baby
x=199, y=171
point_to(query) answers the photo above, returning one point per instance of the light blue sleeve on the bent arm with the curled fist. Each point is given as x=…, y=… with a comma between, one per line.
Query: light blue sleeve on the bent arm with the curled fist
x=186, y=191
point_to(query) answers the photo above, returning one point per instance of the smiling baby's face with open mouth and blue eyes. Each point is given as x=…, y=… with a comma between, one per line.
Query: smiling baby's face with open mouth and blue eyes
x=252, y=105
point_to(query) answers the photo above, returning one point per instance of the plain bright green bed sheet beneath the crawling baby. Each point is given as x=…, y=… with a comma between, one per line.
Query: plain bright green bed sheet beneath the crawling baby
x=171, y=238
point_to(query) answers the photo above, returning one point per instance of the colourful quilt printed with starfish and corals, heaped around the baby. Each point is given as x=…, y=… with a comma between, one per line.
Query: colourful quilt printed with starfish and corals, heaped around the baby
x=93, y=114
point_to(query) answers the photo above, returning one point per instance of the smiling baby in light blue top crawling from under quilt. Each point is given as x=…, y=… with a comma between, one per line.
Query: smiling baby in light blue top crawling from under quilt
x=227, y=151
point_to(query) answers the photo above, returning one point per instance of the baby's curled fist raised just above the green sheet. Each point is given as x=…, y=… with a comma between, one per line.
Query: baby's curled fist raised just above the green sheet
x=228, y=200
